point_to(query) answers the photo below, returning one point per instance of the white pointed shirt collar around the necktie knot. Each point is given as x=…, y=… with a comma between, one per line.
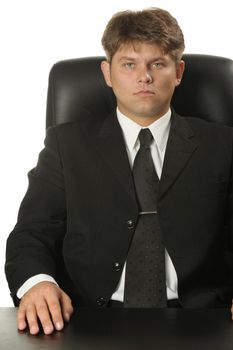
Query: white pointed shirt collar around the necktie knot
x=159, y=129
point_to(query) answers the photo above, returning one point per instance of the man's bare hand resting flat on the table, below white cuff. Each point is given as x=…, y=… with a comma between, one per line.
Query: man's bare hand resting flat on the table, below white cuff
x=48, y=303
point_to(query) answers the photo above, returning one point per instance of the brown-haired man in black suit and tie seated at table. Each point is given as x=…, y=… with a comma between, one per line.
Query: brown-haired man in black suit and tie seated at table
x=89, y=196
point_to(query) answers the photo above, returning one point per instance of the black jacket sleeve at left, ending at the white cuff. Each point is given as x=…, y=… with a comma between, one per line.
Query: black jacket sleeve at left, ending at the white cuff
x=32, y=246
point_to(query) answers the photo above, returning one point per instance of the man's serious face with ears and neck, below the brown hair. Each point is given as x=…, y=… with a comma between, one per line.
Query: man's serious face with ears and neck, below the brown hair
x=143, y=80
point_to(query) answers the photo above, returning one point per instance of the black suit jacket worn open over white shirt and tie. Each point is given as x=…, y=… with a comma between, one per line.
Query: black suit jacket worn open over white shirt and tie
x=78, y=217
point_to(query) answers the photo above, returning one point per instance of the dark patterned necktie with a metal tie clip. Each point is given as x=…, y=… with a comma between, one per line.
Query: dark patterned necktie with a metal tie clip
x=145, y=284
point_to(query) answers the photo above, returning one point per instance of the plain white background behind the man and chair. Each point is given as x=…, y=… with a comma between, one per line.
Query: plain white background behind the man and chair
x=36, y=34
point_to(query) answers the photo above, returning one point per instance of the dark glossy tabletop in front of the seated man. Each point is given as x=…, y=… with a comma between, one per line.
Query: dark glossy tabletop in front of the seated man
x=110, y=329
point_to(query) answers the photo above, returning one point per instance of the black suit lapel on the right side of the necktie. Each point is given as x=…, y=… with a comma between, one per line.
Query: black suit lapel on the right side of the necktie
x=180, y=147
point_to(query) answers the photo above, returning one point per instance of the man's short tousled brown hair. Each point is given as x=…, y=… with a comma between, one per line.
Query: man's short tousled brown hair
x=153, y=26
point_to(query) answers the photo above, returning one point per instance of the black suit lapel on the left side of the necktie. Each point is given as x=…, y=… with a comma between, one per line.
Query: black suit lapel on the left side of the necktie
x=110, y=144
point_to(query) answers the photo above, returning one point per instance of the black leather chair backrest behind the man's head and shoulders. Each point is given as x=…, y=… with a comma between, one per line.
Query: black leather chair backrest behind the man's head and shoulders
x=77, y=85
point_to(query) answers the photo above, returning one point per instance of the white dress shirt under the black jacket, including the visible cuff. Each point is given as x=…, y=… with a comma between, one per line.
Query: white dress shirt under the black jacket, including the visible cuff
x=160, y=131
